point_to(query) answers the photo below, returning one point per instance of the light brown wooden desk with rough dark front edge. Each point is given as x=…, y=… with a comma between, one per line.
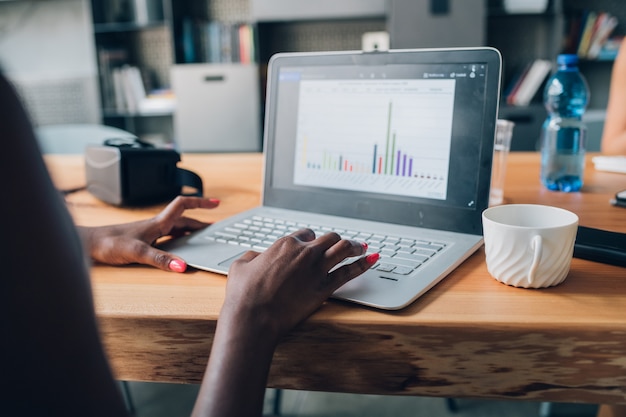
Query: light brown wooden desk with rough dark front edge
x=468, y=336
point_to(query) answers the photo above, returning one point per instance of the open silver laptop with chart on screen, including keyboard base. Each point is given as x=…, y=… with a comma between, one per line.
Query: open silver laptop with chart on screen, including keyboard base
x=392, y=148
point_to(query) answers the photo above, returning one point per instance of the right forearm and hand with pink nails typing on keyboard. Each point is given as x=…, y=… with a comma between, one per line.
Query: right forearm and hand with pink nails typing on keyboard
x=266, y=296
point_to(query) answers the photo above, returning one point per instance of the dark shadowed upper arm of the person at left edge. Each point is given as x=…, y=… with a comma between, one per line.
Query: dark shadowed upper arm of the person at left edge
x=52, y=360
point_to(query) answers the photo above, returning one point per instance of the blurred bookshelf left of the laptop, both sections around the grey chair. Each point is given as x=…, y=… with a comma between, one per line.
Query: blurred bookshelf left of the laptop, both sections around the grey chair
x=145, y=40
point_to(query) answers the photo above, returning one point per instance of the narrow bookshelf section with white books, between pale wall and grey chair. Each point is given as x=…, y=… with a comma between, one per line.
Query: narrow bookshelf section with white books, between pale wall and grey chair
x=133, y=54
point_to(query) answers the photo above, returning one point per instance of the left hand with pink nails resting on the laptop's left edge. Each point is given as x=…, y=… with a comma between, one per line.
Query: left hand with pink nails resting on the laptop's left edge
x=130, y=243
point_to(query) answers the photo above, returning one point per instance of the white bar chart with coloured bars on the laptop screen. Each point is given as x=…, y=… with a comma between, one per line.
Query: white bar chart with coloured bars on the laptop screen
x=386, y=136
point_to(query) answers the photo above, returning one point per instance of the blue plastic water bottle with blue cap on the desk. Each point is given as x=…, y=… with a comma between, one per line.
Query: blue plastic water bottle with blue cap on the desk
x=563, y=133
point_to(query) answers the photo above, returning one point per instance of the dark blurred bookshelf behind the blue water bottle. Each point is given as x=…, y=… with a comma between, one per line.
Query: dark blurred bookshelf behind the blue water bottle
x=525, y=37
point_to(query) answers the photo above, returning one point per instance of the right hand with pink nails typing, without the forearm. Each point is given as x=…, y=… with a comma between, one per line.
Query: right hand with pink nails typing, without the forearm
x=289, y=281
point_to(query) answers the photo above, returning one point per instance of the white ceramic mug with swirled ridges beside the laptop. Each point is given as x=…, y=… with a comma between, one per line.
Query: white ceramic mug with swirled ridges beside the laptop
x=529, y=245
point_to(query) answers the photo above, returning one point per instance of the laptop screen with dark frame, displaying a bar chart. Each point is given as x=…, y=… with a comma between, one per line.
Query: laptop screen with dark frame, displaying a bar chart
x=403, y=137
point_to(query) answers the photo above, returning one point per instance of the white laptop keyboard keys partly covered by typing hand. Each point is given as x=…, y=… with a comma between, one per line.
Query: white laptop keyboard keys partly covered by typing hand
x=398, y=255
